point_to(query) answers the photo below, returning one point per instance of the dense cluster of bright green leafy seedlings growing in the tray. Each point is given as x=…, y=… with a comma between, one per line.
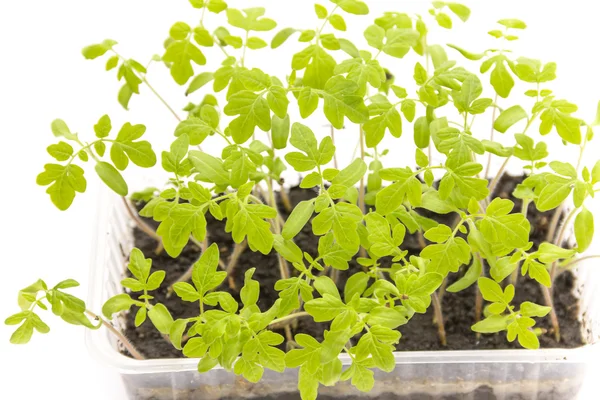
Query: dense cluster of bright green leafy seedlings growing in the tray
x=364, y=211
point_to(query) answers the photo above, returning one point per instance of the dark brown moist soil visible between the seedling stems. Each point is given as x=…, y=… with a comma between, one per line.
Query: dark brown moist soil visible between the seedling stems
x=419, y=334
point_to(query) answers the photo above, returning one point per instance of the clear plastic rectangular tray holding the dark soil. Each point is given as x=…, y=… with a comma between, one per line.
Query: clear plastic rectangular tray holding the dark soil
x=476, y=374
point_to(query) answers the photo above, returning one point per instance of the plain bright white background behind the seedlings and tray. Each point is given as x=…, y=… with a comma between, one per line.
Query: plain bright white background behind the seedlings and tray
x=43, y=76
